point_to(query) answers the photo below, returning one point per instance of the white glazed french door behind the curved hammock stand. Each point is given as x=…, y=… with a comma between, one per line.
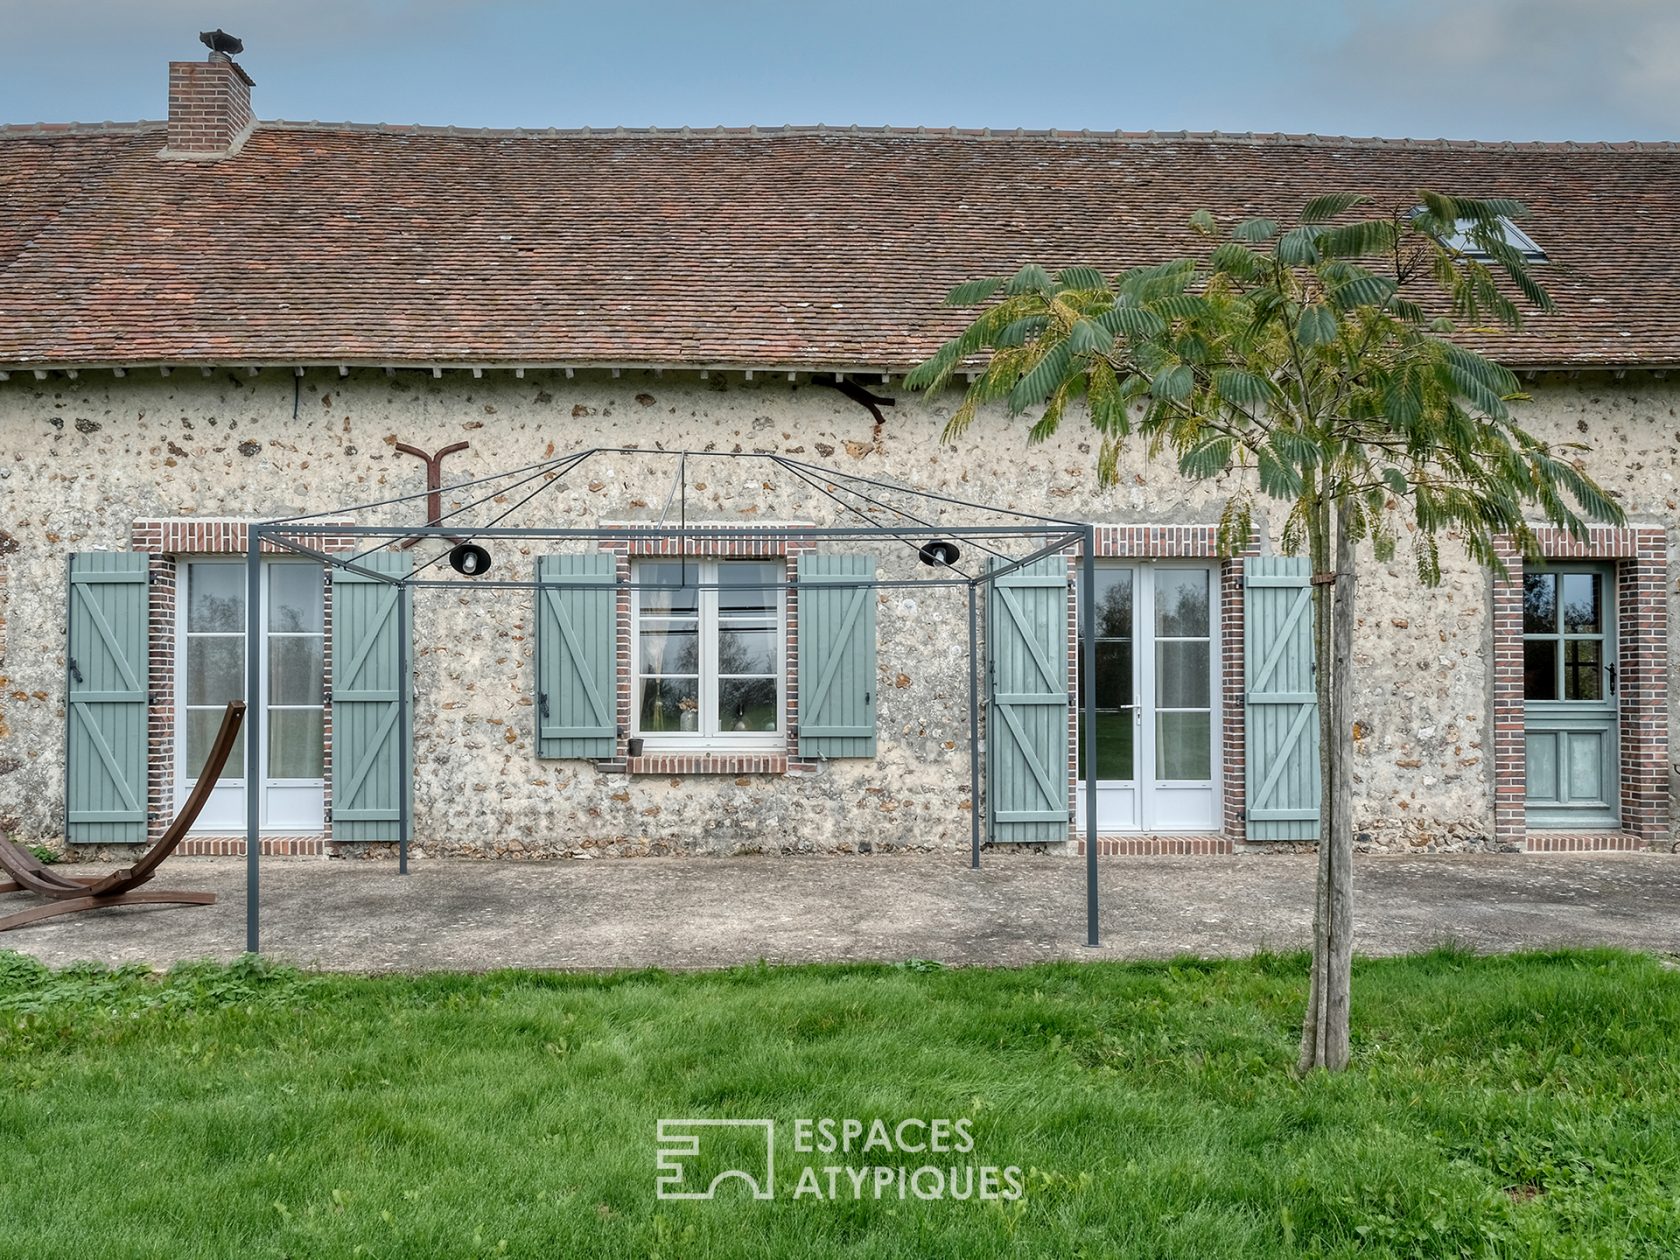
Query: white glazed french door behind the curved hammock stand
x=290, y=720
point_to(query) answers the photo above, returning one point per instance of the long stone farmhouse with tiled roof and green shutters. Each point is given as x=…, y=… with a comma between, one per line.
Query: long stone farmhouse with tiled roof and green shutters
x=214, y=320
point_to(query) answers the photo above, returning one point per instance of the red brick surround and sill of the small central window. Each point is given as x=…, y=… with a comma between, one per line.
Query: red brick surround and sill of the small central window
x=703, y=543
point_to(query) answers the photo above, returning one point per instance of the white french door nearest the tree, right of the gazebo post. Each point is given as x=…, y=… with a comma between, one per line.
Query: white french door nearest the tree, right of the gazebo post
x=1158, y=698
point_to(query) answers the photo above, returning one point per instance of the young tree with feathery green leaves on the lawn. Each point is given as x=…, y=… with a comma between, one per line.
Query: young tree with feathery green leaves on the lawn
x=1320, y=362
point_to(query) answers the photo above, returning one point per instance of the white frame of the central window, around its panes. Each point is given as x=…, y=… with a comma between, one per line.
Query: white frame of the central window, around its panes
x=708, y=737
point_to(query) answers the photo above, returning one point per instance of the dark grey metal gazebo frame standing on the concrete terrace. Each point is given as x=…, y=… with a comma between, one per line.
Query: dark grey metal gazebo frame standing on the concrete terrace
x=1022, y=555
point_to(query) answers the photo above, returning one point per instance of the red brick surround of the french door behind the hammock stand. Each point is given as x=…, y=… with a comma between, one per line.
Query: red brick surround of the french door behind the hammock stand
x=169, y=540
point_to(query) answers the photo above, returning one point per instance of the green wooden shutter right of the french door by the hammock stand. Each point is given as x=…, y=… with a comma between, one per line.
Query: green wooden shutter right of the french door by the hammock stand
x=369, y=769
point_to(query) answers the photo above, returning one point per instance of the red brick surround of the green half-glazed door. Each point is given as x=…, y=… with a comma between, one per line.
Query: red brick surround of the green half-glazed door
x=1641, y=555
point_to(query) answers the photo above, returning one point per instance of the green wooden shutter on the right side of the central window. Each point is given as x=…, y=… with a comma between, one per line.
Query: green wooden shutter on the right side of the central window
x=837, y=656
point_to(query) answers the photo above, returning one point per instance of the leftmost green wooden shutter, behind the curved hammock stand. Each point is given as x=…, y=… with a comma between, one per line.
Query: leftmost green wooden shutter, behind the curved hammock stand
x=105, y=752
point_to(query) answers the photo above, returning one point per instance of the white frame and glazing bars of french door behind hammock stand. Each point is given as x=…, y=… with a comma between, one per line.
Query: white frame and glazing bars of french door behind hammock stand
x=236, y=780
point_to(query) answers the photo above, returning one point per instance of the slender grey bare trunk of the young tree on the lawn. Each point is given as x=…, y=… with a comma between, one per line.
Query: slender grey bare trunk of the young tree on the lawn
x=1325, y=1031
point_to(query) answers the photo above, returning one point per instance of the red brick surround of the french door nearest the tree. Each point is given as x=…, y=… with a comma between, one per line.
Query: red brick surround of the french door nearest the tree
x=1180, y=542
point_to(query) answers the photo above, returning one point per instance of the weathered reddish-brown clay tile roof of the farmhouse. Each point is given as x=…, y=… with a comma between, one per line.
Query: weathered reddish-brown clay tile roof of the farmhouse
x=777, y=248
